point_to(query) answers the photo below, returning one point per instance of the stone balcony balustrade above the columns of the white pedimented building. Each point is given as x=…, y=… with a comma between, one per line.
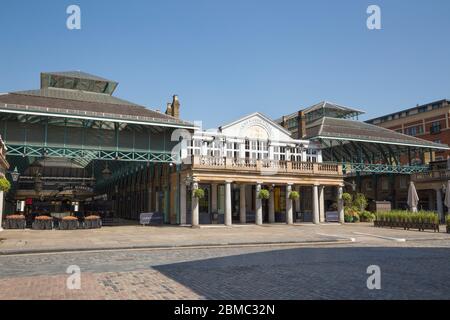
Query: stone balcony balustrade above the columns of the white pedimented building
x=269, y=167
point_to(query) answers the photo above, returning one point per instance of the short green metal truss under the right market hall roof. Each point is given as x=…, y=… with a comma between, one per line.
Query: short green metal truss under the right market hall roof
x=349, y=168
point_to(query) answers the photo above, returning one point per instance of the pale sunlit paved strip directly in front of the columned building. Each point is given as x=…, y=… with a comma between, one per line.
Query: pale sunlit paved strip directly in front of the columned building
x=169, y=236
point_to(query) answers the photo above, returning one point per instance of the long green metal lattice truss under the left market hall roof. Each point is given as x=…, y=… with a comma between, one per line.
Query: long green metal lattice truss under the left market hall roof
x=84, y=156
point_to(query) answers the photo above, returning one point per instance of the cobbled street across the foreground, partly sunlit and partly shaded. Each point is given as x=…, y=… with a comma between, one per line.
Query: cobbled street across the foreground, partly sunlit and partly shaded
x=417, y=268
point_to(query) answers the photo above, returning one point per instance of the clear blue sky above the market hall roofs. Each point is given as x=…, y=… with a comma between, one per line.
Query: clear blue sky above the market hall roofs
x=228, y=58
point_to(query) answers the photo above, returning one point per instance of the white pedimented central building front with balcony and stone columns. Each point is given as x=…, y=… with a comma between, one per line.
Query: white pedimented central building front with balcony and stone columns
x=236, y=162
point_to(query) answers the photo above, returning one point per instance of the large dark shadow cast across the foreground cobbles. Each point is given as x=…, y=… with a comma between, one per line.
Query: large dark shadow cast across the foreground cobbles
x=318, y=273
